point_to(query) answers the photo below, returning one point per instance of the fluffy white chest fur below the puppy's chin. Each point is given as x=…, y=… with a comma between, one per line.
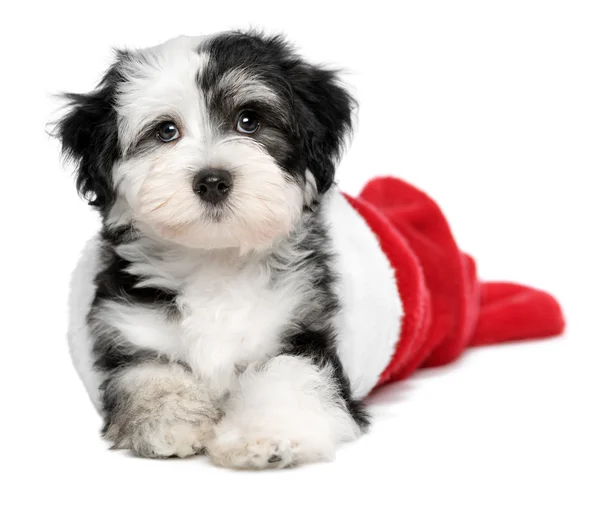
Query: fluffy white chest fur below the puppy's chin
x=229, y=316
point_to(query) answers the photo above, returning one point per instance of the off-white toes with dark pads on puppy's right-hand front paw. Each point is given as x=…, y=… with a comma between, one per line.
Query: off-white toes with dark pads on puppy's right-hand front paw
x=252, y=451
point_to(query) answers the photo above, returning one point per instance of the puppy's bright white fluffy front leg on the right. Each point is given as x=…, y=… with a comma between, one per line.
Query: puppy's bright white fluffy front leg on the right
x=287, y=411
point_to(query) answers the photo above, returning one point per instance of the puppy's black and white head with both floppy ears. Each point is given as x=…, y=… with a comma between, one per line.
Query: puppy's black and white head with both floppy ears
x=208, y=142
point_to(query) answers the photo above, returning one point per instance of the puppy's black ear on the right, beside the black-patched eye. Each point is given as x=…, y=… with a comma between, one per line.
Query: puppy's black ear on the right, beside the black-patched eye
x=324, y=110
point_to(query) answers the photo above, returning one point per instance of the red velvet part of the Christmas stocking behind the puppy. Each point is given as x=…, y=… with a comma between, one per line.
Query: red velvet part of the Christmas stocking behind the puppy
x=446, y=308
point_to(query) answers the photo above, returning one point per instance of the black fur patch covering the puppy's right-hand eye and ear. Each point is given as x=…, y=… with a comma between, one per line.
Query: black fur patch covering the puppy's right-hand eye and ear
x=318, y=112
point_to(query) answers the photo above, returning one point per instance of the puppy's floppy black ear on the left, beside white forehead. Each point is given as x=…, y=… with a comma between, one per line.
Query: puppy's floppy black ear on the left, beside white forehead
x=88, y=133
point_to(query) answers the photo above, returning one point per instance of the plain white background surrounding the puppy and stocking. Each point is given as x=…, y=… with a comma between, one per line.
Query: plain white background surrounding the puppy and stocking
x=491, y=107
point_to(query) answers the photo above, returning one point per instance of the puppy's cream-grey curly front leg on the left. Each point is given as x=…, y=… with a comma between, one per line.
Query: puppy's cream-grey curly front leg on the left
x=158, y=410
